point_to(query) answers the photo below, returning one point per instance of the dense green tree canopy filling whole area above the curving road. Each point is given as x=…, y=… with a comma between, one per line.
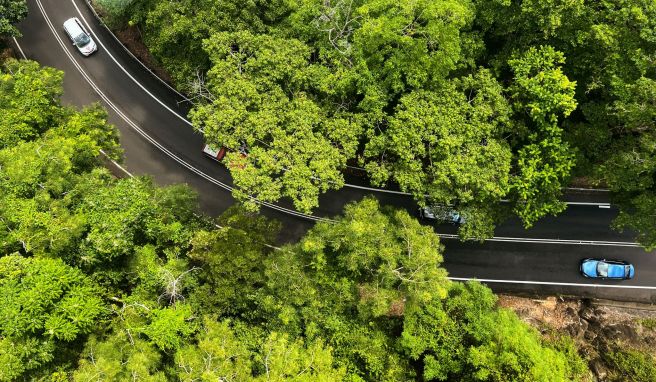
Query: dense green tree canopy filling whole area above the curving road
x=458, y=102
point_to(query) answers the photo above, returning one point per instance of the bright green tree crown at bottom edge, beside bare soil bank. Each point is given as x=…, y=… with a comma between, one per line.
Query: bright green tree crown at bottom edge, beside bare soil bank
x=465, y=337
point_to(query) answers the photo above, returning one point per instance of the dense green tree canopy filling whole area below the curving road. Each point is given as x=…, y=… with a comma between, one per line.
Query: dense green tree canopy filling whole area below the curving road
x=115, y=279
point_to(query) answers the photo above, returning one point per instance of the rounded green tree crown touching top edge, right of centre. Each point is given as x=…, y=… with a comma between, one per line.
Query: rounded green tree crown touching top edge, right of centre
x=408, y=45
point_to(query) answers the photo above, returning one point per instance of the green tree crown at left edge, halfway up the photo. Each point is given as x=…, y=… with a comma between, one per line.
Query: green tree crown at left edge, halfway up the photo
x=36, y=179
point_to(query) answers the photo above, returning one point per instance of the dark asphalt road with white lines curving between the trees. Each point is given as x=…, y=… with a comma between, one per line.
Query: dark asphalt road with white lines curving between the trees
x=158, y=142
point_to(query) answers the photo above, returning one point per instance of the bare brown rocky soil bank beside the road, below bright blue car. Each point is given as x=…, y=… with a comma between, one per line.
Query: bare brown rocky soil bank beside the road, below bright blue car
x=597, y=327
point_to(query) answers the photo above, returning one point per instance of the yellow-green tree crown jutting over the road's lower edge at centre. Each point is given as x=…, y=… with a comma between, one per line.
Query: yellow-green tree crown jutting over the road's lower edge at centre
x=389, y=255
